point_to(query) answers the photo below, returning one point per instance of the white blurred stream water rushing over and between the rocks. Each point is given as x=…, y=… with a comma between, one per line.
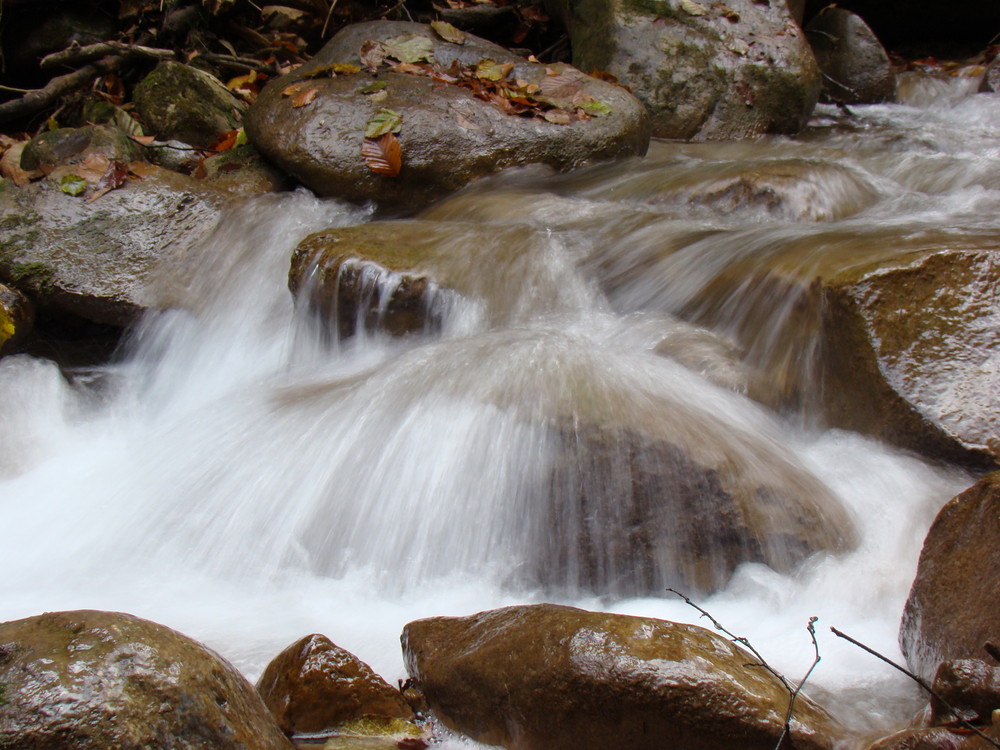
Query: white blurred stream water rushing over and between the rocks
x=238, y=476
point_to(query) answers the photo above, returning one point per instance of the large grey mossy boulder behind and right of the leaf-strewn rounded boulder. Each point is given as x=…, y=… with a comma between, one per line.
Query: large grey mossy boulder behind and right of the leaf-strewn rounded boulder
x=708, y=71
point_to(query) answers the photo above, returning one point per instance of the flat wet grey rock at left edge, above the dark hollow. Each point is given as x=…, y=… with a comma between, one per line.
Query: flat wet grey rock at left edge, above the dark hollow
x=91, y=259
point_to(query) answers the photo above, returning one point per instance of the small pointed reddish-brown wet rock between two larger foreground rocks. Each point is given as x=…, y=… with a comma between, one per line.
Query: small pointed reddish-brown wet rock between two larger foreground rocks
x=314, y=686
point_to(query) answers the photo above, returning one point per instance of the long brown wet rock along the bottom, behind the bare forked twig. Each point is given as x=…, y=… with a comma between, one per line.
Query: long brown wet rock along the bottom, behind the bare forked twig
x=552, y=677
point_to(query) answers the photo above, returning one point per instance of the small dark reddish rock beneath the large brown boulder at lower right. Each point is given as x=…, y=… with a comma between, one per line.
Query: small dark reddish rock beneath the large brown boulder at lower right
x=970, y=687
